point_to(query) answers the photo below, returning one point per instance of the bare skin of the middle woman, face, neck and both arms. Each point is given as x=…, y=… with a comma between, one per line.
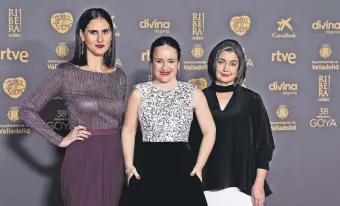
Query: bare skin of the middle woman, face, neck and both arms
x=165, y=61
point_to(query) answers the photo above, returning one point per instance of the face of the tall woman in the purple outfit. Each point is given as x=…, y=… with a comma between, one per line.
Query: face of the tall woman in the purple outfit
x=97, y=36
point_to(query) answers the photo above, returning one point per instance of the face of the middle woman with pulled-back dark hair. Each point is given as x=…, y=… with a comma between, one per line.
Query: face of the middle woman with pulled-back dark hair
x=165, y=63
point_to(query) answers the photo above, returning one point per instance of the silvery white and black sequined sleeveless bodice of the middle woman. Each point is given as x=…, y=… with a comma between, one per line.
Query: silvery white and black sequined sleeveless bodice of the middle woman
x=166, y=115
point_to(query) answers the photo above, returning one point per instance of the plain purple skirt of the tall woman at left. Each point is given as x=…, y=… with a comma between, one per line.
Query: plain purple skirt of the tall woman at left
x=92, y=172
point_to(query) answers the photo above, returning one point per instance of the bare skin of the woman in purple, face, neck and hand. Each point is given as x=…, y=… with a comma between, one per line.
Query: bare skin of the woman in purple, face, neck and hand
x=97, y=38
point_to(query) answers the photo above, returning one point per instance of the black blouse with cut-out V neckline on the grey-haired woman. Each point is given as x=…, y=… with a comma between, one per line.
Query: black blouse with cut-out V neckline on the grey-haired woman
x=244, y=141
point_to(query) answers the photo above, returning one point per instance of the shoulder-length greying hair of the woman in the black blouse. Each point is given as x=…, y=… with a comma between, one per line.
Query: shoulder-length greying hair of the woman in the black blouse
x=229, y=45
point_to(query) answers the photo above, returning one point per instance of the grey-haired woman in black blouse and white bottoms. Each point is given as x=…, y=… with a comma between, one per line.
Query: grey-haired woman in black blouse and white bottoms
x=236, y=169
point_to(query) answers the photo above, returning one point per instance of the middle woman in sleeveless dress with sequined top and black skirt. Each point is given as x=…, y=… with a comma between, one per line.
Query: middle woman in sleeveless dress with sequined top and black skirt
x=162, y=170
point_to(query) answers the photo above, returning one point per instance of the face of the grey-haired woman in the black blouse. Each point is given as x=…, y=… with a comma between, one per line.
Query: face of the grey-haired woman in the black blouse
x=227, y=66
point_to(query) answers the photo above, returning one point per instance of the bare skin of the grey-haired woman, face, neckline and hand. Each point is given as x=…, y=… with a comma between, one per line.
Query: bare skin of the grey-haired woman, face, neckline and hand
x=226, y=73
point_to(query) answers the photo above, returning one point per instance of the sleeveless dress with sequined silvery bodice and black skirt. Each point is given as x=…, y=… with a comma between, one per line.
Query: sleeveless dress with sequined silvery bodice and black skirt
x=163, y=158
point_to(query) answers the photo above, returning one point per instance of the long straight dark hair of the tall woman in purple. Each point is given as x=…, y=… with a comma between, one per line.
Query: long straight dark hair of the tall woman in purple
x=80, y=58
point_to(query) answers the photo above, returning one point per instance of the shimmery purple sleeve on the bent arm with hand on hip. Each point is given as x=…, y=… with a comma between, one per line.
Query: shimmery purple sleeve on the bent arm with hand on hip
x=50, y=88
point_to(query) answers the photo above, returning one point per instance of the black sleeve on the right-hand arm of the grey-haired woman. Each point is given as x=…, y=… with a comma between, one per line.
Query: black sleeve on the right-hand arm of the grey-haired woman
x=263, y=138
